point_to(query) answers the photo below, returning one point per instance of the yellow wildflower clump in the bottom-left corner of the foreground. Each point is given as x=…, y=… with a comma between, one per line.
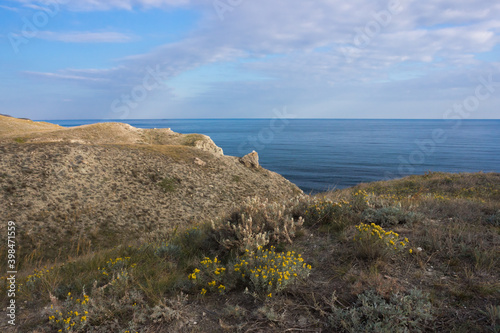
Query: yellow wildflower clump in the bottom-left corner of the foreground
x=70, y=320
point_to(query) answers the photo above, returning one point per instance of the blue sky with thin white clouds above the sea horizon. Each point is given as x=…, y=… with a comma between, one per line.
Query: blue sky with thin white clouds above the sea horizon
x=148, y=59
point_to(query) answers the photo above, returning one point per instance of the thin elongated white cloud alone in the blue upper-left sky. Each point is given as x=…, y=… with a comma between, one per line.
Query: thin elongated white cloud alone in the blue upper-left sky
x=86, y=37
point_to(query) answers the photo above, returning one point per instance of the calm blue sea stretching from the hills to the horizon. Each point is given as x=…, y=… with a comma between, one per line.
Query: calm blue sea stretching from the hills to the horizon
x=323, y=154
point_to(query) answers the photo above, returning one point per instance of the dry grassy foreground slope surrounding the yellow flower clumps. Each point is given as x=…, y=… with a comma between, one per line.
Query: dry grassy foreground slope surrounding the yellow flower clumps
x=448, y=283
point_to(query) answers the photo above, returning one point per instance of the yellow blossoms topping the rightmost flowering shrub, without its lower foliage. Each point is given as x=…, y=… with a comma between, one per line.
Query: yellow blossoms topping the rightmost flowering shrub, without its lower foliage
x=374, y=234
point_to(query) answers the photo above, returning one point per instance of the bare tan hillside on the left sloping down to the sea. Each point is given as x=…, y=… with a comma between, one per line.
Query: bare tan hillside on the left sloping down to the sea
x=95, y=185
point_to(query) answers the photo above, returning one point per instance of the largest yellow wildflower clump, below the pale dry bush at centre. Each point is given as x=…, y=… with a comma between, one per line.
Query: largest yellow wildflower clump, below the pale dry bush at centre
x=270, y=271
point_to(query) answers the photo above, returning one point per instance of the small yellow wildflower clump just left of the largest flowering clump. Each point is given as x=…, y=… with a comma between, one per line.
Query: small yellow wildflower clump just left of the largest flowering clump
x=211, y=276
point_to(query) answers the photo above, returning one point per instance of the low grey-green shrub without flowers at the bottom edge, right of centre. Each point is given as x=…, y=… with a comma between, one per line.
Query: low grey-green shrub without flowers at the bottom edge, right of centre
x=372, y=313
